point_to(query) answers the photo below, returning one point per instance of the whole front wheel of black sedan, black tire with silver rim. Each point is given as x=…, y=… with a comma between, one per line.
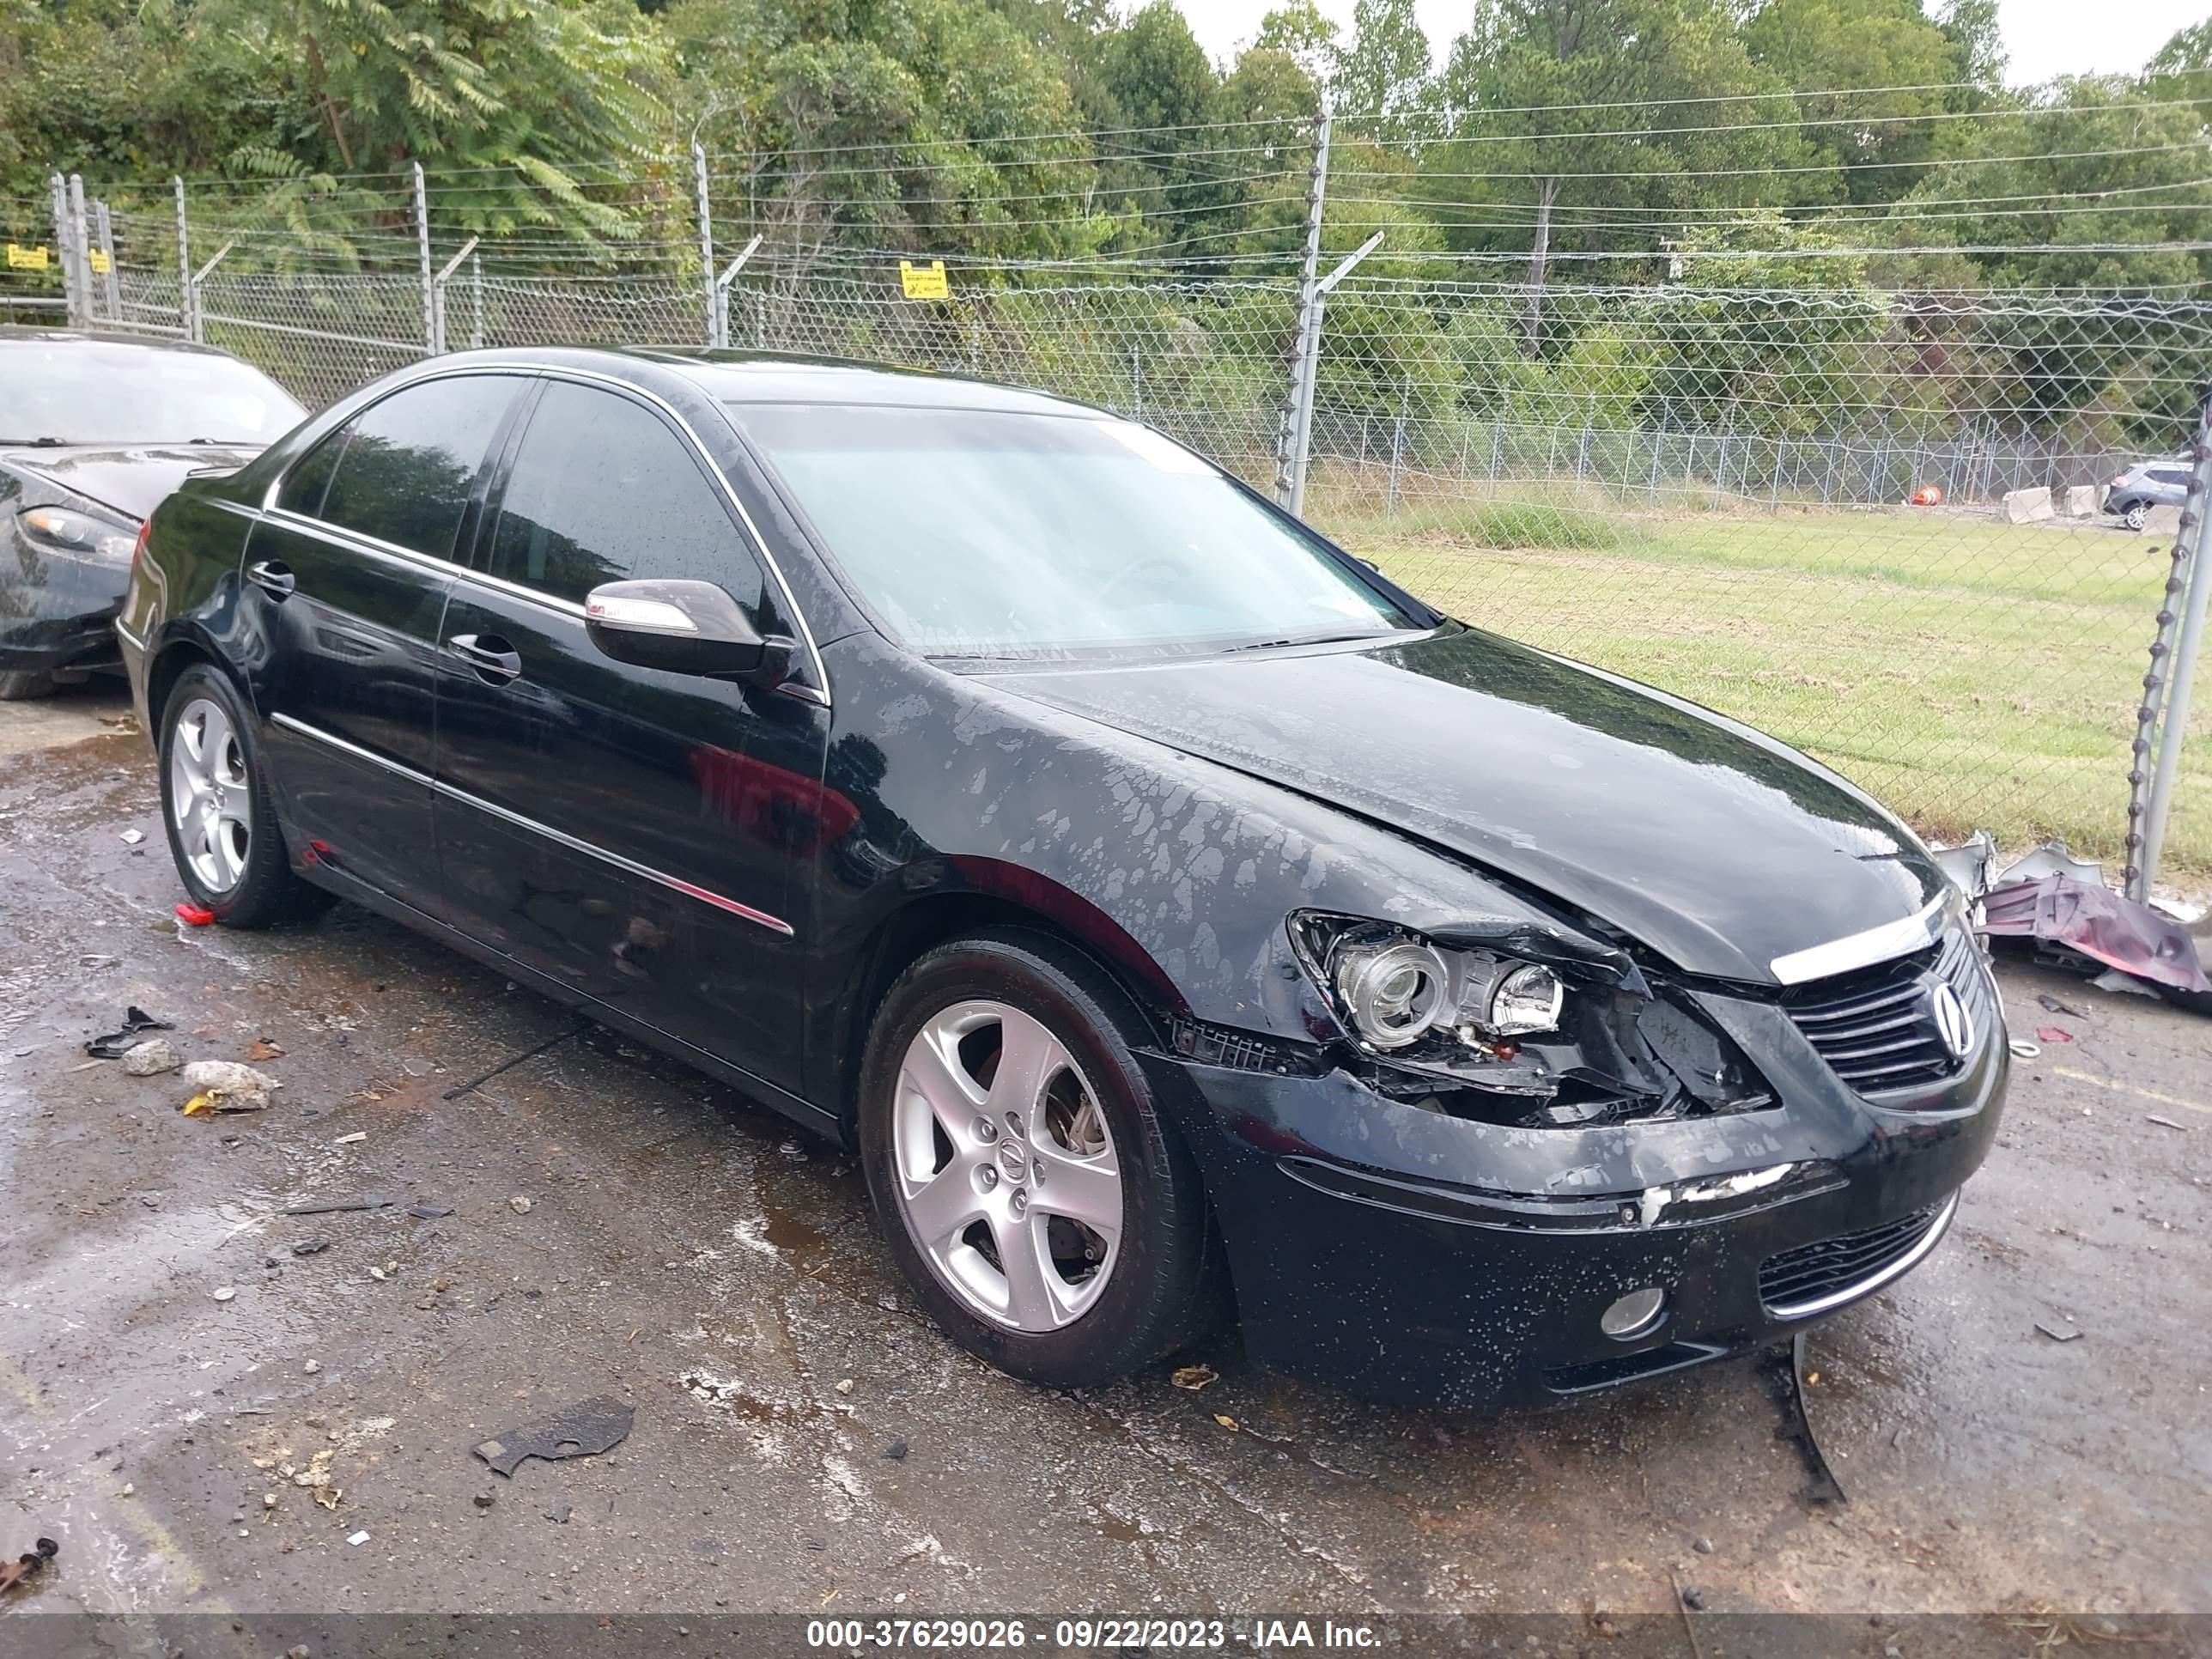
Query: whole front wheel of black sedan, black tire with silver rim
x=1021, y=1171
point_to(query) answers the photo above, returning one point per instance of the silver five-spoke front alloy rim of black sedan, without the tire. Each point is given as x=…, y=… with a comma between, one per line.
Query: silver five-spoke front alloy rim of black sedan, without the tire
x=1008, y=1176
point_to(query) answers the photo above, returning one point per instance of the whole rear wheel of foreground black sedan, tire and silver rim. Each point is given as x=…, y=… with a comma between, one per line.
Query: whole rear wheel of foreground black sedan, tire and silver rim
x=216, y=806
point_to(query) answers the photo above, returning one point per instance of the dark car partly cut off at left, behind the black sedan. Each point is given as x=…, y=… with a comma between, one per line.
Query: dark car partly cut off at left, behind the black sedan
x=94, y=432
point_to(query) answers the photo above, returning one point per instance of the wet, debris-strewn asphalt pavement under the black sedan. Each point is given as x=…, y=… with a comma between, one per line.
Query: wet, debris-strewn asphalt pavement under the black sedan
x=696, y=1258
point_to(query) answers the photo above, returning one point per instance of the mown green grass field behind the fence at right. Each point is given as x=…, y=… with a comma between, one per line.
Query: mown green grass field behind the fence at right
x=1965, y=671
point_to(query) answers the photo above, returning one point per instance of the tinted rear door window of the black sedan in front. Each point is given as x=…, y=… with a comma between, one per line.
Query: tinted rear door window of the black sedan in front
x=410, y=461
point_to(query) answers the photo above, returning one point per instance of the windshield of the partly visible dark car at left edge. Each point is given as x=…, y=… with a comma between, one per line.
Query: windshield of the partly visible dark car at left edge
x=101, y=393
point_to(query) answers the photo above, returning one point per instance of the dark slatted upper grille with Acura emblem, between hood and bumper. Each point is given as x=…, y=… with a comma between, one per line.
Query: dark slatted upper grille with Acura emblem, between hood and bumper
x=1877, y=1027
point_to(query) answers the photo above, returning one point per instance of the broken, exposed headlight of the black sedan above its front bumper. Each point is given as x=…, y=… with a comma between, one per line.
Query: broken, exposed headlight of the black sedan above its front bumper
x=1392, y=988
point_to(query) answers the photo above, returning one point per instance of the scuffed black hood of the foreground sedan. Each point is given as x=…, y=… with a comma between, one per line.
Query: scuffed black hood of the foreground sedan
x=1707, y=842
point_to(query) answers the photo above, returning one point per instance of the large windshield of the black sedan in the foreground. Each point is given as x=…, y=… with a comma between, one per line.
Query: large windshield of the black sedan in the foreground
x=1041, y=536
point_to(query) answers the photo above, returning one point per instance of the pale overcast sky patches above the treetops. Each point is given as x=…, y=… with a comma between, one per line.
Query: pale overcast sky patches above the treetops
x=2043, y=36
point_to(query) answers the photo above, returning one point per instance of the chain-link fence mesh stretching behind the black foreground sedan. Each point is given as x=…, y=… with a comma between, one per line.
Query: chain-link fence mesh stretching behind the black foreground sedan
x=1875, y=523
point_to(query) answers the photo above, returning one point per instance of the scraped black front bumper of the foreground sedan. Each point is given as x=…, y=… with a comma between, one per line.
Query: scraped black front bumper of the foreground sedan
x=1439, y=1260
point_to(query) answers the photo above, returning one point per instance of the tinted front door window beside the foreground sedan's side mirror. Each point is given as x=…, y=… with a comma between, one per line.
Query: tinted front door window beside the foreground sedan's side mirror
x=605, y=490
